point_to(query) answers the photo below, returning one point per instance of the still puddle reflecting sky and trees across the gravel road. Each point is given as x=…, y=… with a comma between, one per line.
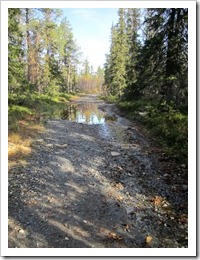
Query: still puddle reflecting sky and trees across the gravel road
x=83, y=113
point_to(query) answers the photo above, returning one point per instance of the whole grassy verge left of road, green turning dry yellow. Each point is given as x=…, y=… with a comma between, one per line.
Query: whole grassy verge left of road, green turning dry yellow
x=26, y=117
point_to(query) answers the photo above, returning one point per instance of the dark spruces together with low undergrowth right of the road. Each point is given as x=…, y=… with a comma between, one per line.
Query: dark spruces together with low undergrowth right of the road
x=146, y=74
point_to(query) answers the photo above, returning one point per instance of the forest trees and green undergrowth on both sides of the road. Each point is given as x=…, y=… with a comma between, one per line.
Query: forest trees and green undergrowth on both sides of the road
x=145, y=72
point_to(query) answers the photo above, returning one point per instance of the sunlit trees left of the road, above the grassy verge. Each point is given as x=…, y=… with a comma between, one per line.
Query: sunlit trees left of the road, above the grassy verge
x=44, y=57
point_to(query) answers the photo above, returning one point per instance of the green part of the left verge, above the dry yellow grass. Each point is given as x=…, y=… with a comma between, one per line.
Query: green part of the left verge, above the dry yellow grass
x=34, y=108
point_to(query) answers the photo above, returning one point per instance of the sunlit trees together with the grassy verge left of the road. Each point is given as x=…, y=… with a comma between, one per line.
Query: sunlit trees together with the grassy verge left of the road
x=44, y=72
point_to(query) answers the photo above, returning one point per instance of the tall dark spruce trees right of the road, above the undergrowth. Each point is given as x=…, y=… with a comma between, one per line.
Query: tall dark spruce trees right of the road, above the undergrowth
x=148, y=56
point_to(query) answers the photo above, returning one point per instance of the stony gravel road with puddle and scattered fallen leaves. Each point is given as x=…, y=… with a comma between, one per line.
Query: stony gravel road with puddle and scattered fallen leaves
x=96, y=184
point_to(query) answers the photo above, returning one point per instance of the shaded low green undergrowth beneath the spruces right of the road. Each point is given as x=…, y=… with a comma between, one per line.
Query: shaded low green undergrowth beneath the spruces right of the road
x=167, y=126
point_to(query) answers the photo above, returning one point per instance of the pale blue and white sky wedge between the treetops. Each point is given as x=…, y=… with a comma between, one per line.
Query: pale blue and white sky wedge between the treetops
x=91, y=28
